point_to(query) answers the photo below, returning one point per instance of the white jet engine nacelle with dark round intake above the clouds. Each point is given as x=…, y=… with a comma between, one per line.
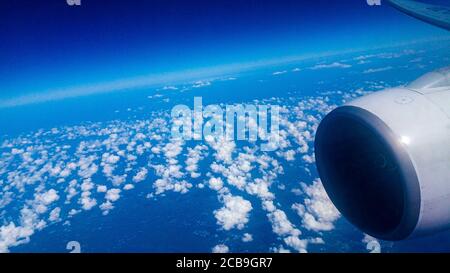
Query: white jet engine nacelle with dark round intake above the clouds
x=384, y=159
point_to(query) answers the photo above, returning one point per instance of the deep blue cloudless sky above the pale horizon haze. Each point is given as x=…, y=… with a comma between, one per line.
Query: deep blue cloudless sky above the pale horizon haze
x=47, y=44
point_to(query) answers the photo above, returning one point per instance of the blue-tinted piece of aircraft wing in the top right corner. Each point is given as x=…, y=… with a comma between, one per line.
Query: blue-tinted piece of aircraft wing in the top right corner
x=432, y=14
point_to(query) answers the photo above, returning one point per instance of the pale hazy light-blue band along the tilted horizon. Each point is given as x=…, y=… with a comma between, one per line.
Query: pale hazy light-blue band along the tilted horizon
x=183, y=76
